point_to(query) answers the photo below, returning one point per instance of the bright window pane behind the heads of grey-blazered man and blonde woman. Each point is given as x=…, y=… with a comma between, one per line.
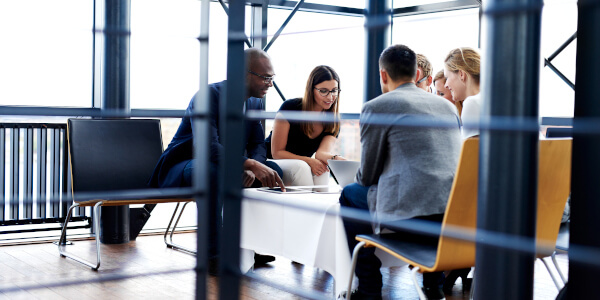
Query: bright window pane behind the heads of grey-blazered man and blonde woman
x=427, y=34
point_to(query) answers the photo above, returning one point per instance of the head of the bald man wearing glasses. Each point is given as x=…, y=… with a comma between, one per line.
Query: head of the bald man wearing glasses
x=259, y=76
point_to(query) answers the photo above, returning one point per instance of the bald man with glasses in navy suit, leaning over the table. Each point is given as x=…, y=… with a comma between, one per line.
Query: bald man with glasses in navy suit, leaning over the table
x=176, y=164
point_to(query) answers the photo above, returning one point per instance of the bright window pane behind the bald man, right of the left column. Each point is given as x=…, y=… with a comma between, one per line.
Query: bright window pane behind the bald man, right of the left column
x=165, y=52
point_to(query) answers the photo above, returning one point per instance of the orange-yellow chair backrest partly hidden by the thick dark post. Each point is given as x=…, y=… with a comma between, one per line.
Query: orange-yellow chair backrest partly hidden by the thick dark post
x=554, y=173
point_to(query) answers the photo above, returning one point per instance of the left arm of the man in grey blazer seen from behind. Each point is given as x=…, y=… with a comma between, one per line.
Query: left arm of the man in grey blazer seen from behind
x=373, y=141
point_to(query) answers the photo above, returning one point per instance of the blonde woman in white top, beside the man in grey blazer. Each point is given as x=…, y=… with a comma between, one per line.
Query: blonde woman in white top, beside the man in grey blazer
x=461, y=69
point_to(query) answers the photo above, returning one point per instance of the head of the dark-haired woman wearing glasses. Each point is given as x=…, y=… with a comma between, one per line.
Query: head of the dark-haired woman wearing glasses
x=322, y=94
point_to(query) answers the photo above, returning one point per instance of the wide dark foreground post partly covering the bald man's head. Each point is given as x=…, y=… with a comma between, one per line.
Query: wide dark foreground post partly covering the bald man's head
x=232, y=120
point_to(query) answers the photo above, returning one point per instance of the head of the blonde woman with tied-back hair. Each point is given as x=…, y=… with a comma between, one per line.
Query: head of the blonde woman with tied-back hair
x=461, y=69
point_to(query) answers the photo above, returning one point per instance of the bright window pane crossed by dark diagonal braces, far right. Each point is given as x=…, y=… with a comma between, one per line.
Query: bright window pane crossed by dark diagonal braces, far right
x=556, y=97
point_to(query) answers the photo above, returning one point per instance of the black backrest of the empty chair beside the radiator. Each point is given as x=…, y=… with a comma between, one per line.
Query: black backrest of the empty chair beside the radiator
x=109, y=155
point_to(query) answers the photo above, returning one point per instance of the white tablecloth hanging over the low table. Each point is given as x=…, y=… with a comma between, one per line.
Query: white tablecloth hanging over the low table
x=312, y=238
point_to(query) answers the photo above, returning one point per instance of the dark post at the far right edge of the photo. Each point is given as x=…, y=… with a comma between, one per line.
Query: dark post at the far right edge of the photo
x=586, y=146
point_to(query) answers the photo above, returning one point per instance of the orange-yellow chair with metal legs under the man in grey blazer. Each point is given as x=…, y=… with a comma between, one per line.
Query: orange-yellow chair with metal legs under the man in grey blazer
x=461, y=214
